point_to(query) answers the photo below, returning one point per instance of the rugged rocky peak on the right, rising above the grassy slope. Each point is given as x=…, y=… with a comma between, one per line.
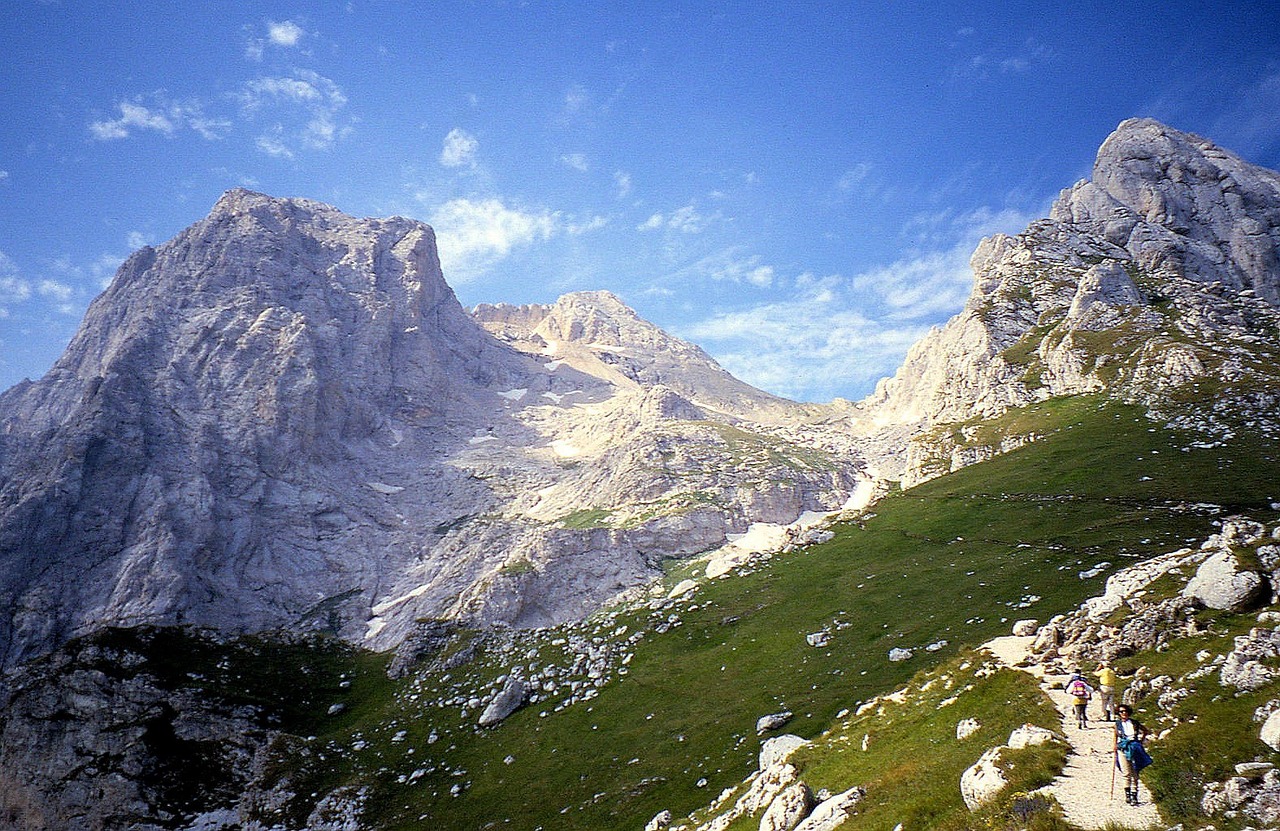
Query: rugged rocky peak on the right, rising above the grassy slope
x=1158, y=277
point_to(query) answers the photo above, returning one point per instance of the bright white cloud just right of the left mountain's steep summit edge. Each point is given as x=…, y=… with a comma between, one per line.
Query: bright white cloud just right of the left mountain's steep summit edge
x=474, y=235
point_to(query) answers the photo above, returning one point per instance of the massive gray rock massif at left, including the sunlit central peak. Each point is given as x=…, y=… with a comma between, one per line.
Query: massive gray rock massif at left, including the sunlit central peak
x=285, y=419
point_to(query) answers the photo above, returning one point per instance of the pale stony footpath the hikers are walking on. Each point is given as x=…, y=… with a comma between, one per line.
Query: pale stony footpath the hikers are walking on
x=1085, y=788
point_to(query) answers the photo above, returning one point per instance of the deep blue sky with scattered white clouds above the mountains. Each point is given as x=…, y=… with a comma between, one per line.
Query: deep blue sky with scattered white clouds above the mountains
x=797, y=188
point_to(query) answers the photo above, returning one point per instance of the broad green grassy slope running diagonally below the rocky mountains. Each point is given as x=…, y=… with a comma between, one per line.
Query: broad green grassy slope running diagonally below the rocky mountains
x=949, y=560
